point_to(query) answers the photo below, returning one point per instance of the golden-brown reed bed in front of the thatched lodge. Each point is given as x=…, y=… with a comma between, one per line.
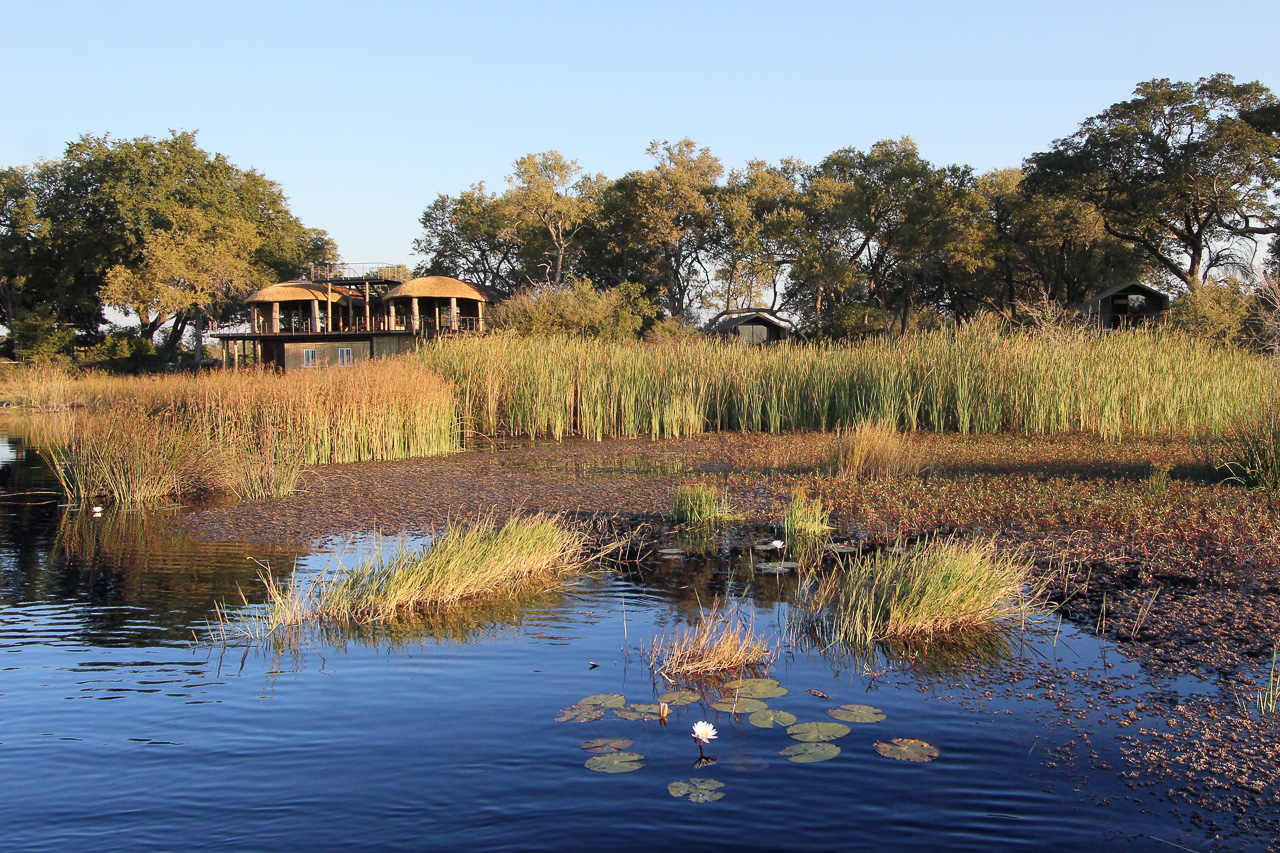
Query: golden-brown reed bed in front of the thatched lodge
x=143, y=440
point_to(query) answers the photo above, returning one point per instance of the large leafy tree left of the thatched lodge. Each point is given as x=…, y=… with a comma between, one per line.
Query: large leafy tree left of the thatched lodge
x=108, y=204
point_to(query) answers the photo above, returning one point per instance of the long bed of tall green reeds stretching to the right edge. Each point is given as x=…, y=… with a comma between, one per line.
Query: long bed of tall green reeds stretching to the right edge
x=977, y=380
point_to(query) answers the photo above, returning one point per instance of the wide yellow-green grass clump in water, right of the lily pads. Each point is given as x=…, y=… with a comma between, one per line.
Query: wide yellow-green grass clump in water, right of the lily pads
x=943, y=587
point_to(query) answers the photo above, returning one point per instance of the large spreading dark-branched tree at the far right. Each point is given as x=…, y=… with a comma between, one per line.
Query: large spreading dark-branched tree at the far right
x=1180, y=172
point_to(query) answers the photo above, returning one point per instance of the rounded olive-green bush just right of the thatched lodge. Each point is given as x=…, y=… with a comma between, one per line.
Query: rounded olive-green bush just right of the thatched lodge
x=577, y=311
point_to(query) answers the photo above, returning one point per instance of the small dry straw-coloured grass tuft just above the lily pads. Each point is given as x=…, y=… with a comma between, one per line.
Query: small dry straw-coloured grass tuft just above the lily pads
x=716, y=645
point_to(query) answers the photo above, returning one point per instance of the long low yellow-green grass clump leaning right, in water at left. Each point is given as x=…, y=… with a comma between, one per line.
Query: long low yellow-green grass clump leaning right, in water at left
x=465, y=564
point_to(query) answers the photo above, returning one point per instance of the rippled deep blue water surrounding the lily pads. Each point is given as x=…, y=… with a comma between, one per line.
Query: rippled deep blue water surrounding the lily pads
x=124, y=728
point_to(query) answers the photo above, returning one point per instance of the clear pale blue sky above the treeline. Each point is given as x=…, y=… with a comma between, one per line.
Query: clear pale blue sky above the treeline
x=364, y=113
